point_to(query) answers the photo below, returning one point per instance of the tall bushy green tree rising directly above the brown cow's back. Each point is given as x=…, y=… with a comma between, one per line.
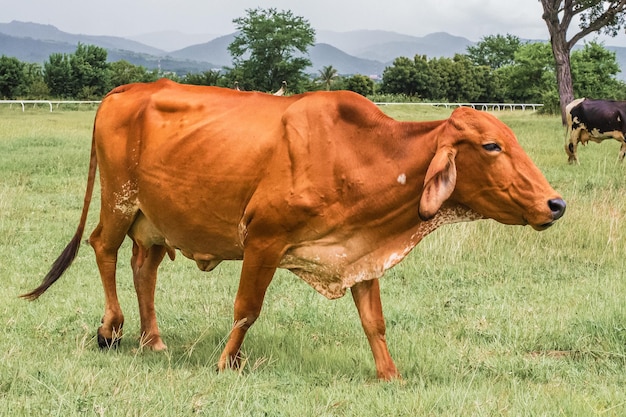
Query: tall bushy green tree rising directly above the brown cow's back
x=271, y=47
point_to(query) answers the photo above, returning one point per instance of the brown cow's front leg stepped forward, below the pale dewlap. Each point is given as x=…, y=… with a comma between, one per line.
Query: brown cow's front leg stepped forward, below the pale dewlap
x=366, y=295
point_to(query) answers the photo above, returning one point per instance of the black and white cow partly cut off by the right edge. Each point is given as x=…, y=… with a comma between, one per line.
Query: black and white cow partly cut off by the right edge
x=594, y=120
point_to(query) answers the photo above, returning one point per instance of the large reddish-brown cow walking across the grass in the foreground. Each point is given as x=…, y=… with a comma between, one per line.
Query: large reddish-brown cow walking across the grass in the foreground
x=323, y=184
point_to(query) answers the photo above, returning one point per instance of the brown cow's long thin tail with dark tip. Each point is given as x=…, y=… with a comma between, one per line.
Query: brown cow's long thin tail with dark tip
x=71, y=250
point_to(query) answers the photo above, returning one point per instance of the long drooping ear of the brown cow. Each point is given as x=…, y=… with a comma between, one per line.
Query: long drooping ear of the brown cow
x=439, y=182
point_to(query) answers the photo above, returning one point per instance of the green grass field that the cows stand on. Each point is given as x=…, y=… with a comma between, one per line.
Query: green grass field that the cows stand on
x=483, y=319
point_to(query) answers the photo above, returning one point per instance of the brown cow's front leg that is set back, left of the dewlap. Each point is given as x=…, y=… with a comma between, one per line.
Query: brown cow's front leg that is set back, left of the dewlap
x=257, y=272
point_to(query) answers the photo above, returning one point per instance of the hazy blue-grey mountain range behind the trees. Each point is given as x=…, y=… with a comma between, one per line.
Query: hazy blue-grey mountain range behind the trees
x=365, y=52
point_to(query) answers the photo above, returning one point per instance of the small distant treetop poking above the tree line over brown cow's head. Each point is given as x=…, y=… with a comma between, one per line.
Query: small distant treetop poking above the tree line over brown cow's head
x=494, y=51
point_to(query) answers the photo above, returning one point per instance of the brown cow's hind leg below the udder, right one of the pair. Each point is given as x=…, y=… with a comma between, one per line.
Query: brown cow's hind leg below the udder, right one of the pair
x=145, y=263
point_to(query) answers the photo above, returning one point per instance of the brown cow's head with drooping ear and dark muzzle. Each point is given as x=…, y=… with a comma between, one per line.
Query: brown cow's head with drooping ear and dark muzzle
x=479, y=164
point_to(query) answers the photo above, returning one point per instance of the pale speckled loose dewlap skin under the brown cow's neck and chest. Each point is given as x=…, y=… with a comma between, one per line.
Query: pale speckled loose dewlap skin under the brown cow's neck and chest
x=331, y=267
